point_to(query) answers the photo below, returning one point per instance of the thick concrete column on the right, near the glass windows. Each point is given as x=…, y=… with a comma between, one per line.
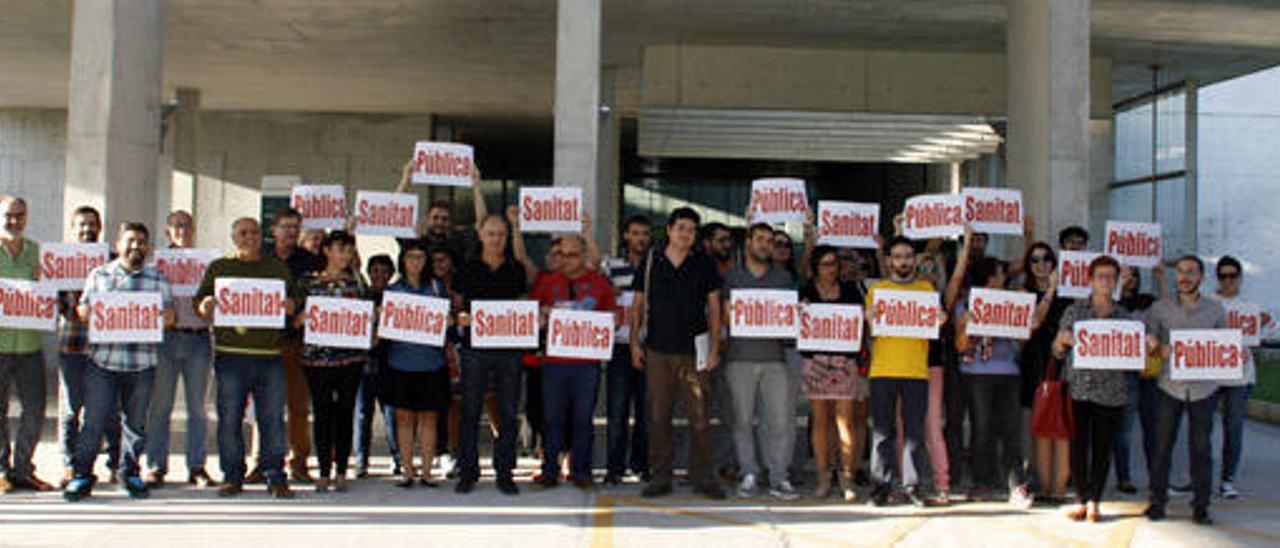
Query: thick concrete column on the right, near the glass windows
x=1048, y=79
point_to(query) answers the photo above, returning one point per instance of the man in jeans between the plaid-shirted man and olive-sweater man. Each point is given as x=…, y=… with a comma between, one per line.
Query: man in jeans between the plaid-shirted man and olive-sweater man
x=186, y=353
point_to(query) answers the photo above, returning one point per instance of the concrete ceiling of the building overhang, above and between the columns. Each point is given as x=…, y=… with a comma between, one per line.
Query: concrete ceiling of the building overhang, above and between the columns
x=495, y=60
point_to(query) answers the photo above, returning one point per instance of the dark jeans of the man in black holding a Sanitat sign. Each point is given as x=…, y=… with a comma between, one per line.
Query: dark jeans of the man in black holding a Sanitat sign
x=482, y=368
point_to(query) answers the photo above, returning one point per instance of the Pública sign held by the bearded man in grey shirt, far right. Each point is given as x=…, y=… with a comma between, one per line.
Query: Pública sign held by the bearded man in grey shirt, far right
x=1206, y=355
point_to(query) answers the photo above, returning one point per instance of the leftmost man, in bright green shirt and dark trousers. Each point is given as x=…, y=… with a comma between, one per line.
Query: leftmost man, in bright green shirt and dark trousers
x=22, y=363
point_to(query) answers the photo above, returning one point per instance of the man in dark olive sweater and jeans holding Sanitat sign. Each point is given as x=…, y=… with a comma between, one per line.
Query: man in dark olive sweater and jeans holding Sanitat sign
x=248, y=362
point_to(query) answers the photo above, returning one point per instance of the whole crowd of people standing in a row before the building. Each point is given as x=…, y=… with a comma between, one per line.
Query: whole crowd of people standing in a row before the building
x=912, y=398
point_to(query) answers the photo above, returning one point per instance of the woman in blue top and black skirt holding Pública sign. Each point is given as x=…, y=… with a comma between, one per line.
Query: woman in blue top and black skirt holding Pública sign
x=417, y=381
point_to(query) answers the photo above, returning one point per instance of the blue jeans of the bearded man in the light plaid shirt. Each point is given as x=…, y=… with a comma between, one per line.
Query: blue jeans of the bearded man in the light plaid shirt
x=115, y=398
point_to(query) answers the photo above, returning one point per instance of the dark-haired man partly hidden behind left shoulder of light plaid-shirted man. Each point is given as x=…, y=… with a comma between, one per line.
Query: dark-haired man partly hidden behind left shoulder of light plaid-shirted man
x=74, y=359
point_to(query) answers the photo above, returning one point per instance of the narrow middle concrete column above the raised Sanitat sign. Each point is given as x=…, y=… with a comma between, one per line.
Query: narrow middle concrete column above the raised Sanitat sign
x=578, y=101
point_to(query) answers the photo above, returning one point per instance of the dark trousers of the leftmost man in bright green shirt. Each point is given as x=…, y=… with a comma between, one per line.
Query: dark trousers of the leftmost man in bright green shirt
x=26, y=372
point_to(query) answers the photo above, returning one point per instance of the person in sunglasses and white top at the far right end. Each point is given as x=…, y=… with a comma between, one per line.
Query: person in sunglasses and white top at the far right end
x=1236, y=394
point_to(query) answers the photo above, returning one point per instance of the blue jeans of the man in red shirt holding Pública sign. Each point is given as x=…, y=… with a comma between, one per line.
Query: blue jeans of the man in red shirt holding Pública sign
x=569, y=403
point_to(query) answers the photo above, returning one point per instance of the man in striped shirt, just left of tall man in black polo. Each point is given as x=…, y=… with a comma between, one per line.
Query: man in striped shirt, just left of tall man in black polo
x=625, y=386
